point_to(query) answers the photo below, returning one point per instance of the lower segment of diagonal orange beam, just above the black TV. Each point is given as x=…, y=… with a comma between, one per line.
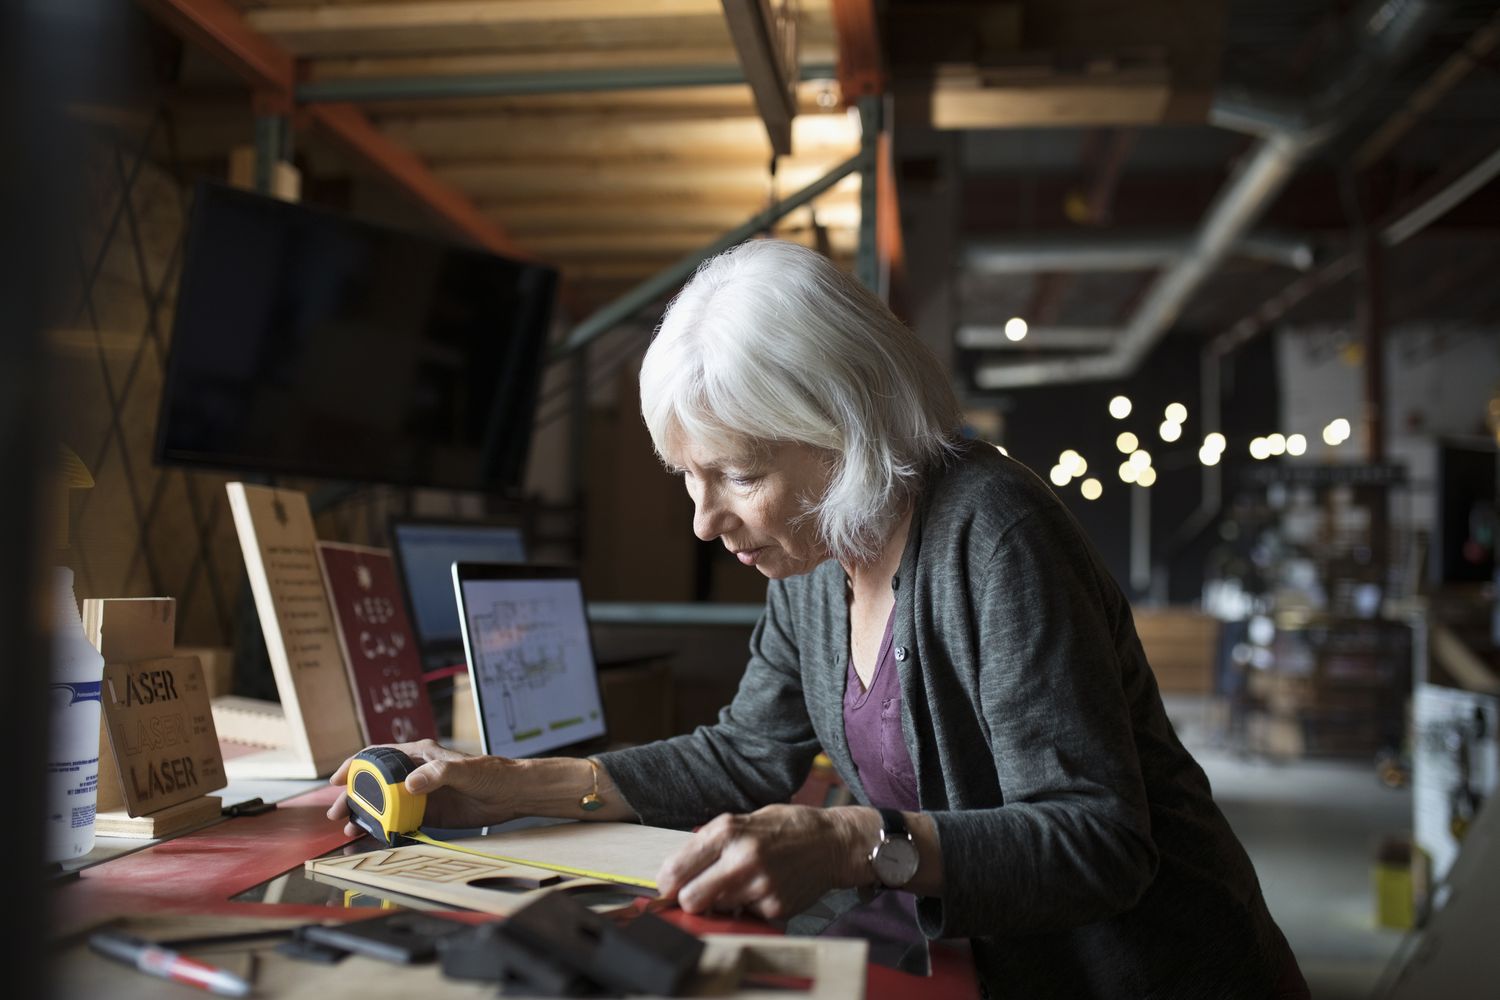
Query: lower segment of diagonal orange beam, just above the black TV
x=407, y=172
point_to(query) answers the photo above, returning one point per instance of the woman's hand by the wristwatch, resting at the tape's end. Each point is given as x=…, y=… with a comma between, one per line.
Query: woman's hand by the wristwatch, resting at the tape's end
x=776, y=861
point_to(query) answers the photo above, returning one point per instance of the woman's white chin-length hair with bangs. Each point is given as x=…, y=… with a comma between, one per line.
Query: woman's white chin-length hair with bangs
x=772, y=343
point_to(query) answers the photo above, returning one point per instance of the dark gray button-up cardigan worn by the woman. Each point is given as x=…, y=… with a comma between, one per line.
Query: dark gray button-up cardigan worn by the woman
x=1082, y=849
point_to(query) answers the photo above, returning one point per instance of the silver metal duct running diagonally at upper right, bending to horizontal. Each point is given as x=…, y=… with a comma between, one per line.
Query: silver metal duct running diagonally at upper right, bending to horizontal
x=1384, y=34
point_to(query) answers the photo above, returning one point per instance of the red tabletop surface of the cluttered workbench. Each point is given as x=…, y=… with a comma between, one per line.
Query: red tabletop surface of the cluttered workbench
x=200, y=872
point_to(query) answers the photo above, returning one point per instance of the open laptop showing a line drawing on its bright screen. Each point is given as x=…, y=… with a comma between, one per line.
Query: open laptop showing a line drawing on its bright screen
x=530, y=659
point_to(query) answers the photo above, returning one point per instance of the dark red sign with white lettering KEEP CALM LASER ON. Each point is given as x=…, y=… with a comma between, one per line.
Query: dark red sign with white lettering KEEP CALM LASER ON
x=379, y=647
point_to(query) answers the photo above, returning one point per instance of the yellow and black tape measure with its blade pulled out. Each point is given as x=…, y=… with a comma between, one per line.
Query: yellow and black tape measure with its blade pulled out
x=380, y=804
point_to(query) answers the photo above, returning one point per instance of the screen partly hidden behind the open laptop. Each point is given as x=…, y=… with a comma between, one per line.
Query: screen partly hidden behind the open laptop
x=425, y=552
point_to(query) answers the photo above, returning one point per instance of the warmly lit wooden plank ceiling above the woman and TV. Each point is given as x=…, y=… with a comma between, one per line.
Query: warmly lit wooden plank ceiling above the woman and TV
x=608, y=185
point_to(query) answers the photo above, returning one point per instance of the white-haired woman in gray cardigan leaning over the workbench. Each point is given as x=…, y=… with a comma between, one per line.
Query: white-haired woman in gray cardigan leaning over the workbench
x=940, y=626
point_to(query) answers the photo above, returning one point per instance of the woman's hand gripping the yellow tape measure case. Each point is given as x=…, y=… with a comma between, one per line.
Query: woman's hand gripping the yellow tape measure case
x=464, y=791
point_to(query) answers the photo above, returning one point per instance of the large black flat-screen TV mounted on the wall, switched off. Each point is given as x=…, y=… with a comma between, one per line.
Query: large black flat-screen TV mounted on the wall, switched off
x=311, y=344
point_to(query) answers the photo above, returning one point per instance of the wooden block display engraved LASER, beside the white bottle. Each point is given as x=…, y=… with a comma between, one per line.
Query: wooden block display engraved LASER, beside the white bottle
x=128, y=632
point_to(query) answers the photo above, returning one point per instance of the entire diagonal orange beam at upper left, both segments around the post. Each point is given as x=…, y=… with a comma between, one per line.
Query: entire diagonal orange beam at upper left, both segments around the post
x=272, y=74
